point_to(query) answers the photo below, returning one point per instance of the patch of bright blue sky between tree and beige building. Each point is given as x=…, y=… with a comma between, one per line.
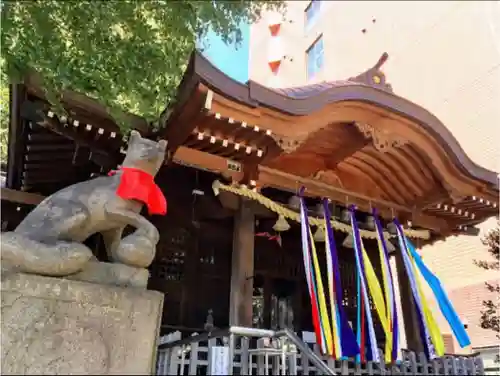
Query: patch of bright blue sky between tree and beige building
x=230, y=59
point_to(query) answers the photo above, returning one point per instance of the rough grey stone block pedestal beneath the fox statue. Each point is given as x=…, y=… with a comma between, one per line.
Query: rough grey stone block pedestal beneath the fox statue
x=55, y=326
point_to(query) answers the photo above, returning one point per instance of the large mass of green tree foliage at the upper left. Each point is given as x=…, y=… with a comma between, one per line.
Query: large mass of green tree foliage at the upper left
x=128, y=54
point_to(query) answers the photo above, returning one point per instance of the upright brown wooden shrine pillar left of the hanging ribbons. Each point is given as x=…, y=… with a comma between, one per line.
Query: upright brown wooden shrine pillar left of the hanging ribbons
x=242, y=266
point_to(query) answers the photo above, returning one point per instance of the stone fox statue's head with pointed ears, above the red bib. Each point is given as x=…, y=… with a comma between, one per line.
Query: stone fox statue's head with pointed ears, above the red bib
x=144, y=154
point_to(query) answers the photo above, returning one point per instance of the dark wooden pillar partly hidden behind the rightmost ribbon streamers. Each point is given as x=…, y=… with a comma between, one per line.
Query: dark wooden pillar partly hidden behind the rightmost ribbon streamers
x=410, y=316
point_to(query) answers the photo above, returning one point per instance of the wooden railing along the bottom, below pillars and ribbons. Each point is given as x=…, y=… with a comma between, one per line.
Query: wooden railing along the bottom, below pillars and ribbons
x=249, y=351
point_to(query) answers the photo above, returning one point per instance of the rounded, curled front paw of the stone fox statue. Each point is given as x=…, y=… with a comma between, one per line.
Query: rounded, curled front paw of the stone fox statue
x=136, y=249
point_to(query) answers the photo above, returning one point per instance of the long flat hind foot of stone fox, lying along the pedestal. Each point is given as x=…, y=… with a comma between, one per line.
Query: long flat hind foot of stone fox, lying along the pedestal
x=27, y=255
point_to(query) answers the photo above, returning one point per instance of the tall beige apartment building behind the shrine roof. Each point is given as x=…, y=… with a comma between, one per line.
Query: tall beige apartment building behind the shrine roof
x=444, y=56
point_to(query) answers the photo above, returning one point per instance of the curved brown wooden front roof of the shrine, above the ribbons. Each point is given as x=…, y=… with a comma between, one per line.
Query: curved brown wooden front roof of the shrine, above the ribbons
x=351, y=140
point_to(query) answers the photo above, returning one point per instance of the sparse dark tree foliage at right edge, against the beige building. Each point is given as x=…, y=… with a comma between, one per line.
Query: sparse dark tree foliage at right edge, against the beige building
x=490, y=314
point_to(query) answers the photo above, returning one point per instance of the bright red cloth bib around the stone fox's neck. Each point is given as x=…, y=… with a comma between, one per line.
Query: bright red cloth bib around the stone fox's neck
x=138, y=185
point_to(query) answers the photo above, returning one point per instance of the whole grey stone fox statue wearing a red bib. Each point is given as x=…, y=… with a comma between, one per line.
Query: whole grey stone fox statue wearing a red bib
x=49, y=240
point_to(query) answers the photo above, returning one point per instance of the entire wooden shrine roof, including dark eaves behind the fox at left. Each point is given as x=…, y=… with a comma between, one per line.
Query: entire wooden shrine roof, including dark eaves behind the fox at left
x=354, y=141
